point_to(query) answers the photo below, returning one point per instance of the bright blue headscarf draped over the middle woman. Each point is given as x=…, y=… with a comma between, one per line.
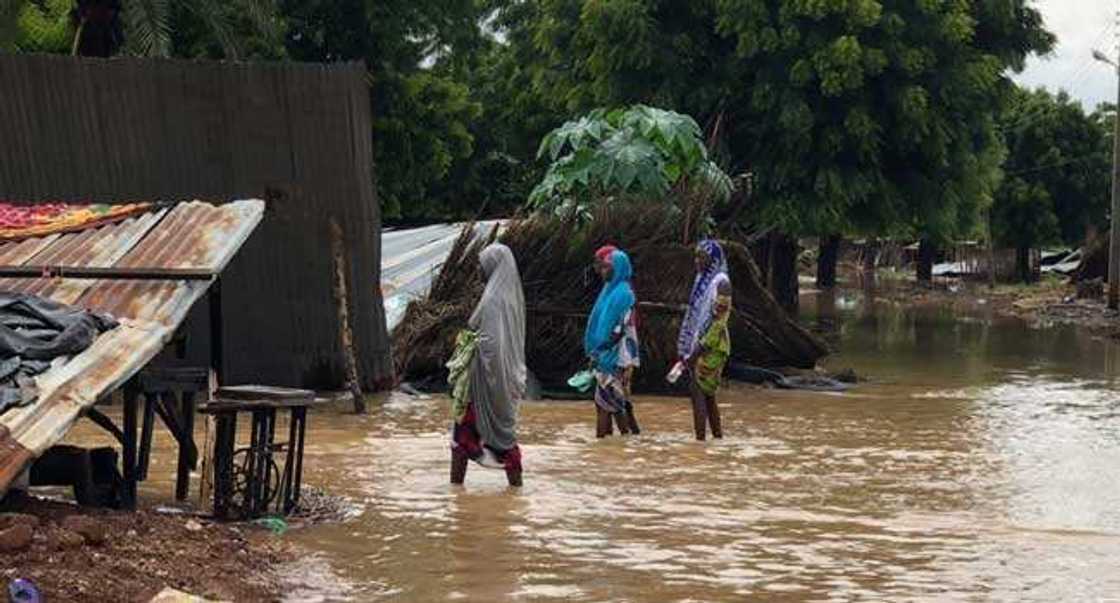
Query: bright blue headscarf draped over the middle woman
x=614, y=301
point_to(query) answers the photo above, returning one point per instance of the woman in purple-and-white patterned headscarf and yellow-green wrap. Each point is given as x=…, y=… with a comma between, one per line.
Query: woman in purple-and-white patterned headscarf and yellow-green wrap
x=705, y=344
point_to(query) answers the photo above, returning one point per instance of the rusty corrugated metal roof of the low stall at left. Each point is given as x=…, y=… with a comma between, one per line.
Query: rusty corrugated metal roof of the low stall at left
x=195, y=235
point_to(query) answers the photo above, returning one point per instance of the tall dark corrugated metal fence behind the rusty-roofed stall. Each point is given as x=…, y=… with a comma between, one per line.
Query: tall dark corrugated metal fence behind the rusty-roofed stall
x=296, y=135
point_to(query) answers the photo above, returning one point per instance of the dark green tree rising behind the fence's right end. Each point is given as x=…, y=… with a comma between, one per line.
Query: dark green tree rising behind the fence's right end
x=423, y=109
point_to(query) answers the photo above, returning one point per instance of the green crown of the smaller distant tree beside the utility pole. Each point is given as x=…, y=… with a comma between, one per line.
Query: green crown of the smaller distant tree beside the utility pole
x=1058, y=171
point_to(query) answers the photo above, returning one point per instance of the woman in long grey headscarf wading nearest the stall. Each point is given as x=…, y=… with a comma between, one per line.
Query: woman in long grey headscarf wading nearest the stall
x=488, y=373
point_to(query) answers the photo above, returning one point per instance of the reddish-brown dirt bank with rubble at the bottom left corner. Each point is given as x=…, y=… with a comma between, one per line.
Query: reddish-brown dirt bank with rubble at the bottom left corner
x=89, y=555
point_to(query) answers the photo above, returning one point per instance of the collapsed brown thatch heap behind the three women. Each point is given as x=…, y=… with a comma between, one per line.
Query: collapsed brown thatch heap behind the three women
x=555, y=257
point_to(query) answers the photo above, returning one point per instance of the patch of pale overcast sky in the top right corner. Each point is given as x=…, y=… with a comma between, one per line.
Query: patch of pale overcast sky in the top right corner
x=1080, y=25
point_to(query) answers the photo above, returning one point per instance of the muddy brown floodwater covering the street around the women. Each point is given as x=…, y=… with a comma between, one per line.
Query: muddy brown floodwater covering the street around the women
x=983, y=463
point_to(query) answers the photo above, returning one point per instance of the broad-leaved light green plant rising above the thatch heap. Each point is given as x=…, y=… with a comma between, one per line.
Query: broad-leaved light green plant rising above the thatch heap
x=640, y=152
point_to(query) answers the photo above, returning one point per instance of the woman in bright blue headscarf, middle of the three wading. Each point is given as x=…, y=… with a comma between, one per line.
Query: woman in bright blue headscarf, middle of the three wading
x=612, y=346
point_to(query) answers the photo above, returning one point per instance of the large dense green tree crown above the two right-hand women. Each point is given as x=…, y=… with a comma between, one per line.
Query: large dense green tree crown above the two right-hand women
x=853, y=116
